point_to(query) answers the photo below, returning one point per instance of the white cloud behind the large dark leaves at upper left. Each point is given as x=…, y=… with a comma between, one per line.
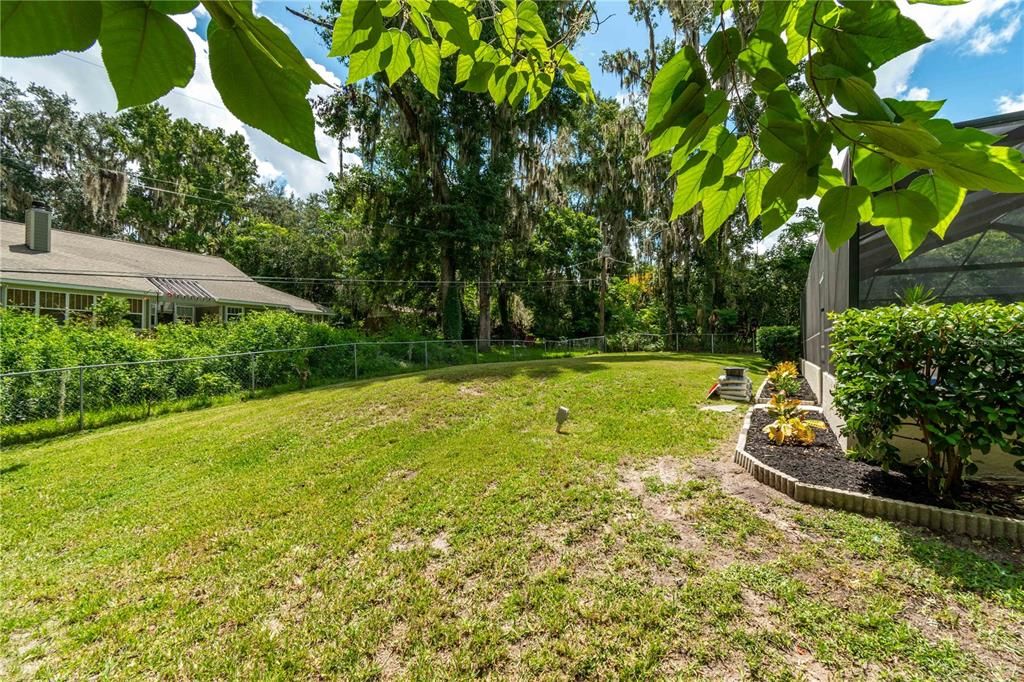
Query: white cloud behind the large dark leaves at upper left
x=81, y=76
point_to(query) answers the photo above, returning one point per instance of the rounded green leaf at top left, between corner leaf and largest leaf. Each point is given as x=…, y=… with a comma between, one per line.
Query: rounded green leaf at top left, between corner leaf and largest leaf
x=145, y=52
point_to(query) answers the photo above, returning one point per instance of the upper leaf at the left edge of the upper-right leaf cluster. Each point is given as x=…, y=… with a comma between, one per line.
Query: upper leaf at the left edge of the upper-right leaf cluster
x=676, y=95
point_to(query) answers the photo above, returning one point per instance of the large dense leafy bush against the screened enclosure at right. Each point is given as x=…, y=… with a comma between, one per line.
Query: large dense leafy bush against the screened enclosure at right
x=955, y=371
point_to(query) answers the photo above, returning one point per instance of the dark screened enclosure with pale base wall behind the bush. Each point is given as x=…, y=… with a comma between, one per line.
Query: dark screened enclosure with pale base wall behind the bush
x=982, y=258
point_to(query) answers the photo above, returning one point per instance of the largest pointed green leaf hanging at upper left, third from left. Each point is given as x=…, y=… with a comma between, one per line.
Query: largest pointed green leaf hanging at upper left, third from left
x=261, y=93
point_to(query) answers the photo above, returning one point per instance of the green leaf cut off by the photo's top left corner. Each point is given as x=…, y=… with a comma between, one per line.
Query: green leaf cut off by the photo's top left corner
x=32, y=29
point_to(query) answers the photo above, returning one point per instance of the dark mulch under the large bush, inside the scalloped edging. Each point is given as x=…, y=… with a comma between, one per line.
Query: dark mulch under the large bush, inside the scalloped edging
x=825, y=463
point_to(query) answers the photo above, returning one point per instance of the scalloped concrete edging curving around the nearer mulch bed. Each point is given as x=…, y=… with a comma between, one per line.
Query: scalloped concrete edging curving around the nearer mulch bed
x=936, y=519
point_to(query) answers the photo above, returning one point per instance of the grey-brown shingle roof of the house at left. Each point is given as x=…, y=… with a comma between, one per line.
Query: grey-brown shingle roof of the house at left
x=90, y=263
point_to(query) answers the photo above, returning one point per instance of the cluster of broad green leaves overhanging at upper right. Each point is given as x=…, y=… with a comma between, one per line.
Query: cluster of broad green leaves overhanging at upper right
x=834, y=50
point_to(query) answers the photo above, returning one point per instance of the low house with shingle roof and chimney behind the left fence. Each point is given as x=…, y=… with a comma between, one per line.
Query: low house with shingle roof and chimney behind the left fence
x=60, y=274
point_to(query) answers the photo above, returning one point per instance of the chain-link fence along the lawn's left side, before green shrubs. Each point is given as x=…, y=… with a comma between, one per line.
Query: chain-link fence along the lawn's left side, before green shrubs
x=47, y=402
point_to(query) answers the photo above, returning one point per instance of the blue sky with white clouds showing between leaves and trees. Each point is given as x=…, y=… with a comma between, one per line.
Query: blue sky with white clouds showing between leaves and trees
x=975, y=62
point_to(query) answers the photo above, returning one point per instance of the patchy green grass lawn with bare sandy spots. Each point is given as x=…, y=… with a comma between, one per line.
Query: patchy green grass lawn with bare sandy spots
x=435, y=526
